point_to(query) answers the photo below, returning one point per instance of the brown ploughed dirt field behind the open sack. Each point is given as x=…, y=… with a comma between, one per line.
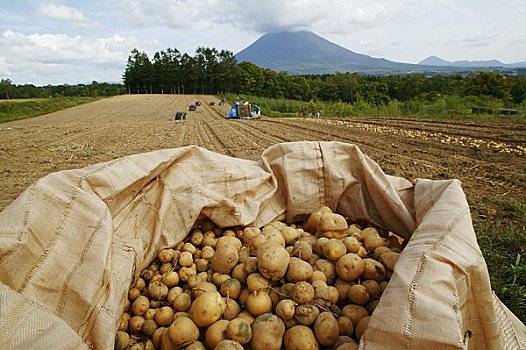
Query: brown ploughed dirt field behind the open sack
x=489, y=156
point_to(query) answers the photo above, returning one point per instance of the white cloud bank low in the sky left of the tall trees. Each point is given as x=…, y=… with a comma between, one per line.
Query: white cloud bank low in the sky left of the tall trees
x=60, y=58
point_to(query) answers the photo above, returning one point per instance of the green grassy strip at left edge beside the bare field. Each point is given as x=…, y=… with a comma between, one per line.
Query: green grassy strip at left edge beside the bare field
x=15, y=110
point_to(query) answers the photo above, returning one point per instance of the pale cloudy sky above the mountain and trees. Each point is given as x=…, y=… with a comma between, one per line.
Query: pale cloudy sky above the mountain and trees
x=57, y=42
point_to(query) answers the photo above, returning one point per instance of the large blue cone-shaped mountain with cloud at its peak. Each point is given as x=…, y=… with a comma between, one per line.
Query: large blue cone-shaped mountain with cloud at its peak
x=305, y=52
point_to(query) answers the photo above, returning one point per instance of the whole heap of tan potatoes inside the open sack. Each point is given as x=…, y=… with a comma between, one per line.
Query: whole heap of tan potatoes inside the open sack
x=299, y=287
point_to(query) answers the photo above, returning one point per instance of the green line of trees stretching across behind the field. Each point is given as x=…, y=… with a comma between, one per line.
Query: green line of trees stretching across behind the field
x=210, y=71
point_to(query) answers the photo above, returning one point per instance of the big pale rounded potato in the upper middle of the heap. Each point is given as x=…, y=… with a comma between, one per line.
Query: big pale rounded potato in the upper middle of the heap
x=273, y=261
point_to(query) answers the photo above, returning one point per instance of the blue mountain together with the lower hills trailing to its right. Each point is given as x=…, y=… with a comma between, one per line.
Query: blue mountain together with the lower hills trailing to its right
x=304, y=52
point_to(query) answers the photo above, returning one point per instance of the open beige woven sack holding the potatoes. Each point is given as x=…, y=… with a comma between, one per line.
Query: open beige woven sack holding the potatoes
x=71, y=244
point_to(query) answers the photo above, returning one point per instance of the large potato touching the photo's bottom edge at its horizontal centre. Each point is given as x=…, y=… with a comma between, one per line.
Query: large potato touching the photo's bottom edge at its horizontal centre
x=267, y=333
